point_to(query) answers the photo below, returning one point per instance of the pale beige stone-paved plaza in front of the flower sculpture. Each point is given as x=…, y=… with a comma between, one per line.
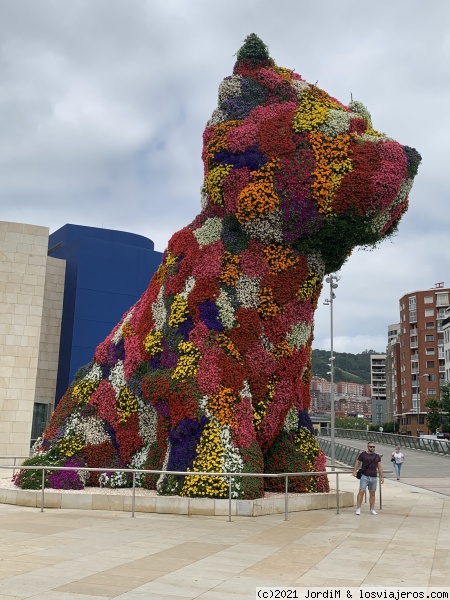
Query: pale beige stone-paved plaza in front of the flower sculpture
x=93, y=555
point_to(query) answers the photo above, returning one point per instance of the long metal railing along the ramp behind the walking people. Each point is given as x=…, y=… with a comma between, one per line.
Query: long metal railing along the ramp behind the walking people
x=392, y=439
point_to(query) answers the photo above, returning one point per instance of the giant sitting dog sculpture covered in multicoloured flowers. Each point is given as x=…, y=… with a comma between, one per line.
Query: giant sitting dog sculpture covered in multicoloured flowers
x=209, y=371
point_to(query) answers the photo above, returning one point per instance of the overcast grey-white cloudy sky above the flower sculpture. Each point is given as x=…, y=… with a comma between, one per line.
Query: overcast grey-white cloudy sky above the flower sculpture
x=103, y=104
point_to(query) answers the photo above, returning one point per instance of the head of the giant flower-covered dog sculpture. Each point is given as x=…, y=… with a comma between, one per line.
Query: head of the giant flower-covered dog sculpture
x=293, y=165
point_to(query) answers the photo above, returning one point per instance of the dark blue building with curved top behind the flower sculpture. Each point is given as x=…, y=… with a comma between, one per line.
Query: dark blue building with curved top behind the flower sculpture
x=106, y=273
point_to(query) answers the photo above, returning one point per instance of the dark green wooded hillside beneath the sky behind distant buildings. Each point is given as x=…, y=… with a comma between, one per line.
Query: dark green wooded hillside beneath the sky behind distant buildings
x=347, y=366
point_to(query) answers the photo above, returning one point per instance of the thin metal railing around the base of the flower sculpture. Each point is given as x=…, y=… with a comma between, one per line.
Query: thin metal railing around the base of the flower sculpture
x=229, y=476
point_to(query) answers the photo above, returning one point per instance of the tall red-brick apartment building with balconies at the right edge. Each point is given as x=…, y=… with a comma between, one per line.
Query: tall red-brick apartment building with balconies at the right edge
x=420, y=364
